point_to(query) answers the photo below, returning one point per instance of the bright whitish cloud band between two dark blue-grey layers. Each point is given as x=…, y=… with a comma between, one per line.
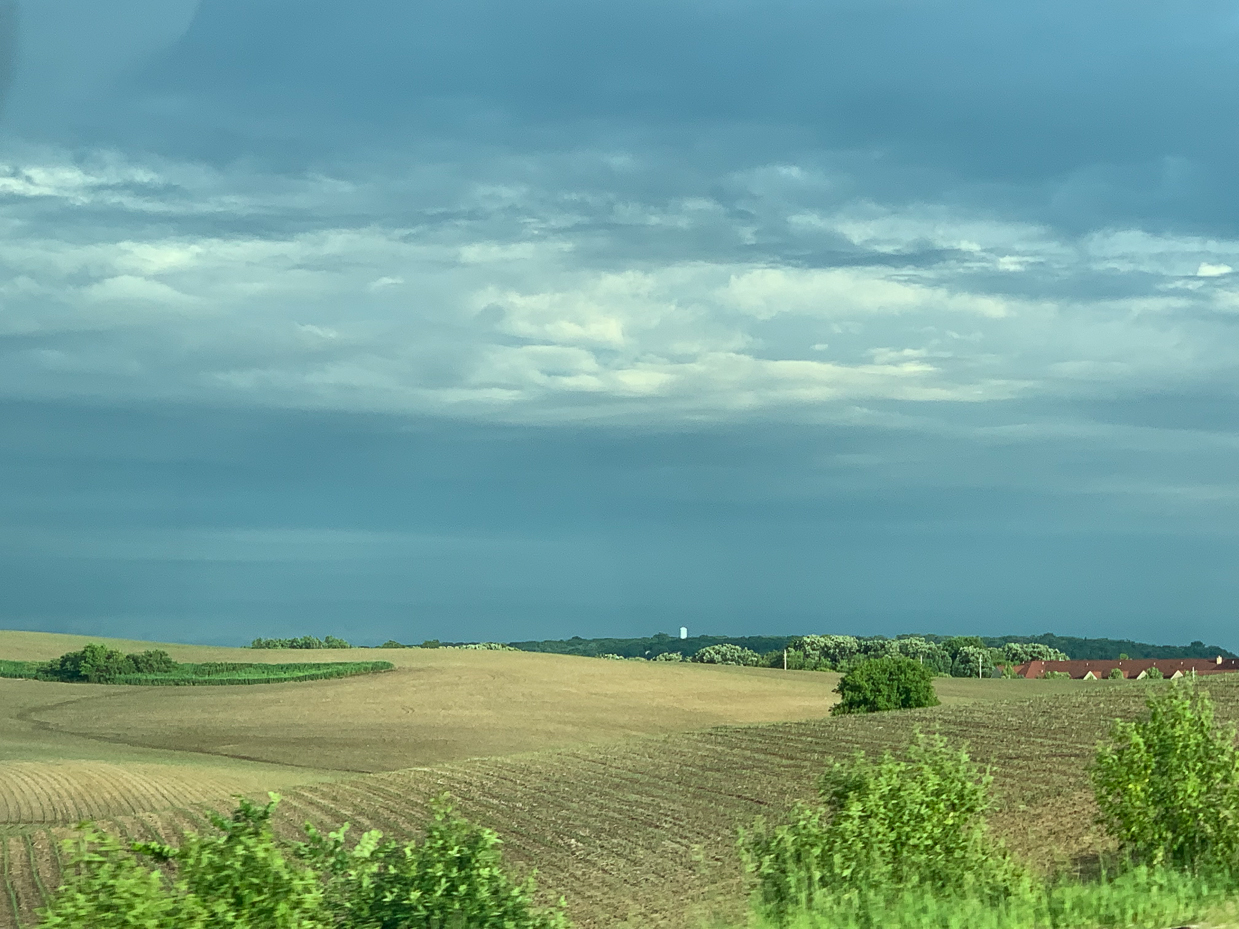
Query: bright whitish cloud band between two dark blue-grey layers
x=480, y=314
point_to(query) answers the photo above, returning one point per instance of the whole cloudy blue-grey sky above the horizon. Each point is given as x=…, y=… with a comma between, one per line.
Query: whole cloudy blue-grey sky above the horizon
x=488, y=321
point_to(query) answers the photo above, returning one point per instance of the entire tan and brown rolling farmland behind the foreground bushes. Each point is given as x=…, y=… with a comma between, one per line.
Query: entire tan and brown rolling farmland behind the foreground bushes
x=621, y=782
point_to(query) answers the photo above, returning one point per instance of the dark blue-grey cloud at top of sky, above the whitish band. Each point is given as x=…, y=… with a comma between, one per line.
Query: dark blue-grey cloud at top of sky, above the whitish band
x=1128, y=108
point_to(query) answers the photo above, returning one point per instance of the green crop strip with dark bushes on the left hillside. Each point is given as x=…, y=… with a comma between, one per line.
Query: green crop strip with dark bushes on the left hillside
x=186, y=673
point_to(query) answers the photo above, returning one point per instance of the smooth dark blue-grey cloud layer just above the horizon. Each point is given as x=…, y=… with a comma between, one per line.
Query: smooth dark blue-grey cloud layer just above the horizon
x=226, y=525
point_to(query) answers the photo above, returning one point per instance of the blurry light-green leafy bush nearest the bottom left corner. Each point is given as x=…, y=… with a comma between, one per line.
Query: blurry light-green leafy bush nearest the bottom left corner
x=240, y=880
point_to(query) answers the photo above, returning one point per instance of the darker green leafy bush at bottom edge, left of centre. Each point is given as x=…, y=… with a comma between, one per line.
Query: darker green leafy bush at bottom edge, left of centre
x=454, y=878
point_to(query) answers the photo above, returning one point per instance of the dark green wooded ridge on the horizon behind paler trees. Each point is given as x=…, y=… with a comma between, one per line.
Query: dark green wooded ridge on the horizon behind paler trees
x=654, y=646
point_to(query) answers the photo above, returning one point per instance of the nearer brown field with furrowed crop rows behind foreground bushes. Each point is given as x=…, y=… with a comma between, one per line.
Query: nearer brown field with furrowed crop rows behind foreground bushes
x=645, y=832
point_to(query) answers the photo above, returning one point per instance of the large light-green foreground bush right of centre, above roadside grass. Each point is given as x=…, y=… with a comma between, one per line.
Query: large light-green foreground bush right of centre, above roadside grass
x=884, y=829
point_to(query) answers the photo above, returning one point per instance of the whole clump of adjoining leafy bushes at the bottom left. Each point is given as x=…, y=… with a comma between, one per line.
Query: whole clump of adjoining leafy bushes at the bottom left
x=243, y=879
